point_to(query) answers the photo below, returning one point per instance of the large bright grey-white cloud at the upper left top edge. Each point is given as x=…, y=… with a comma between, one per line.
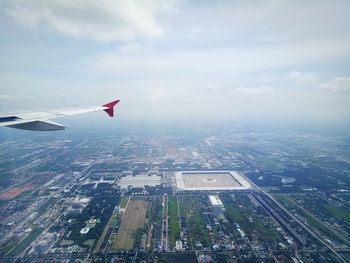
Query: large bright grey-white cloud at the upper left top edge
x=102, y=21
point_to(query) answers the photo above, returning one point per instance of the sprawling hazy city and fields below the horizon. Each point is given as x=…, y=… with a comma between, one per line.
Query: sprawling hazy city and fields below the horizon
x=175, y=194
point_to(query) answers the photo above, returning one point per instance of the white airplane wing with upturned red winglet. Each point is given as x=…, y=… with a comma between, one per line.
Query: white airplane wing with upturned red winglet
x=40, y=121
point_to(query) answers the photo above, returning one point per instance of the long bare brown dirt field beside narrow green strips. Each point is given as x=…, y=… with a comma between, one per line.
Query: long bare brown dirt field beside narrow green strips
x=133, y=219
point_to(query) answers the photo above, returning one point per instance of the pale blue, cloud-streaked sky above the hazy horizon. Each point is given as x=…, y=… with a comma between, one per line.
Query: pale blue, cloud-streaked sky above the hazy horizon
x=181, y=60
